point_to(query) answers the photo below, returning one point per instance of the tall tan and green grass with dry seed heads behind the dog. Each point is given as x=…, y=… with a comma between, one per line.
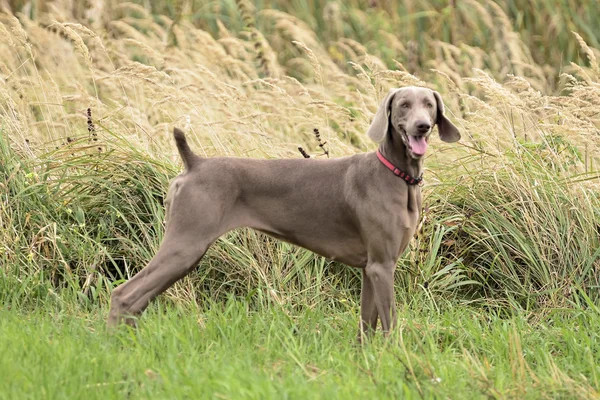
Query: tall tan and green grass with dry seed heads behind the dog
x=511, y=212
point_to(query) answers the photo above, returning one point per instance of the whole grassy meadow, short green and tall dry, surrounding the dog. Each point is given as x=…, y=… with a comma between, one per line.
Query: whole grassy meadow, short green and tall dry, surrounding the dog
x=498, y=293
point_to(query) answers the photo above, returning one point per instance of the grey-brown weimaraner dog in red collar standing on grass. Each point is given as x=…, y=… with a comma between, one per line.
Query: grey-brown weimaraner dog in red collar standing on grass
x=361, y=210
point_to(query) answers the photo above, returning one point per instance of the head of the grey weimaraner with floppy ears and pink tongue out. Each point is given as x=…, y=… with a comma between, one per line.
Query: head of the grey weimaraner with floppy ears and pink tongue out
x=411, y=112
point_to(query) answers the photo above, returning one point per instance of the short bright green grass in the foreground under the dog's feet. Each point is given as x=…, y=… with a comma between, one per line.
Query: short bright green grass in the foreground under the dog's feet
x=226, y=350
